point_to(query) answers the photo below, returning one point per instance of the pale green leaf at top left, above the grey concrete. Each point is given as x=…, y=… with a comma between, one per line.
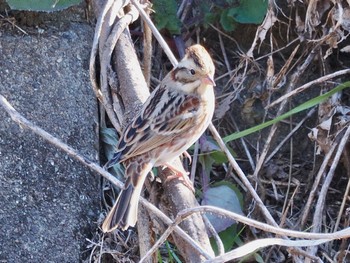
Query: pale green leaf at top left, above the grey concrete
x=41, y=5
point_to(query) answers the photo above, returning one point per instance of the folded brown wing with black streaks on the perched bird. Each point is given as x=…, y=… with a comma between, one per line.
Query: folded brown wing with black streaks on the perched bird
x=165, y=115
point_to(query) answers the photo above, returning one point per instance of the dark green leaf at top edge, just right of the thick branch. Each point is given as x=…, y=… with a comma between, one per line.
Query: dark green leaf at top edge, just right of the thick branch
x=165, y=16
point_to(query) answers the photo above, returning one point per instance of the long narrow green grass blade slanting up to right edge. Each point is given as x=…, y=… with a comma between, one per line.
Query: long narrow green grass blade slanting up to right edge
x=306, y=105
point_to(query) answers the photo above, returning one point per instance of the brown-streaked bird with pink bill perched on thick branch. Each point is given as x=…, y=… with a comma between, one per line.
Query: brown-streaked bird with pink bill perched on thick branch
x=174, y=117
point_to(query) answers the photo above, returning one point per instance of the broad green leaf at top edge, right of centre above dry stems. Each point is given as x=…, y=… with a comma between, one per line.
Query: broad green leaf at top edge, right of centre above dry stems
x=249, y=11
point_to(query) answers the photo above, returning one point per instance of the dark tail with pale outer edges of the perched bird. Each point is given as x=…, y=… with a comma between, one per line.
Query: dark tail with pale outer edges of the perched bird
x=124, y=212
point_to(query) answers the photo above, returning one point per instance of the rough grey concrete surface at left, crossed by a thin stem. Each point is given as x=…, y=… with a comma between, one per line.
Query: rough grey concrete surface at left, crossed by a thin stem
x=50, y=203
